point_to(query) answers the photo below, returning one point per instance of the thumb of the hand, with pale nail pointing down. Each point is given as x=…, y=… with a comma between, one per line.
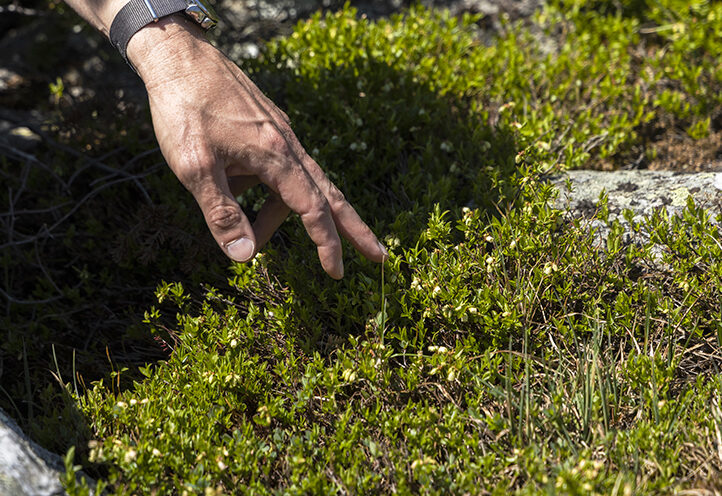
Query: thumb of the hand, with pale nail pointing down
x=227, y=222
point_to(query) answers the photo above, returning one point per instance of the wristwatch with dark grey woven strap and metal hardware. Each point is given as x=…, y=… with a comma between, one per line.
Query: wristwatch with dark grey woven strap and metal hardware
x=138, y=13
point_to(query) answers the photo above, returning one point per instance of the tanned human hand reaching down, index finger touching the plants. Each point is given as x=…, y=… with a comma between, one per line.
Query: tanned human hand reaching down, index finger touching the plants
x=220, y=135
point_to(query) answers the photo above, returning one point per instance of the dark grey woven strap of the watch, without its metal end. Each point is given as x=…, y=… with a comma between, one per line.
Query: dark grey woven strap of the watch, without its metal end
x=136, y=14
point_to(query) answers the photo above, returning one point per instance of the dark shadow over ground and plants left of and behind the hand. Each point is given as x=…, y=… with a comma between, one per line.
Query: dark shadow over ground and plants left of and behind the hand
x=93, y=221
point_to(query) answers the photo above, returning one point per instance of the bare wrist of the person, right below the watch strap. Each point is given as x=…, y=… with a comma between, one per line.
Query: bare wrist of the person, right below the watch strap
x=159, y=49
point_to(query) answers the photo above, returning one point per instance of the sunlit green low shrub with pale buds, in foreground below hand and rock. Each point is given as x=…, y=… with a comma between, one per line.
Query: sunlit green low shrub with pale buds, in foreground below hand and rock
x=503, y=353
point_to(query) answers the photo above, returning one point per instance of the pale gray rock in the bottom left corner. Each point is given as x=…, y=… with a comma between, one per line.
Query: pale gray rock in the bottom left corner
x=25, y=467
